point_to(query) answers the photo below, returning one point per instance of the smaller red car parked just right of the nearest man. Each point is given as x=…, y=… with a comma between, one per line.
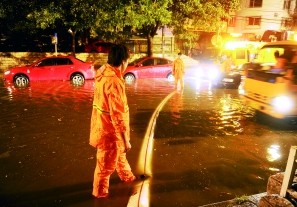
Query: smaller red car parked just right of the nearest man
x=149, y=67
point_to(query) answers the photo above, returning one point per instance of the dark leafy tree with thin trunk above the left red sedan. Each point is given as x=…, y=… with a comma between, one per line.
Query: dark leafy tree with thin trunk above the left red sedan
x=71, y=15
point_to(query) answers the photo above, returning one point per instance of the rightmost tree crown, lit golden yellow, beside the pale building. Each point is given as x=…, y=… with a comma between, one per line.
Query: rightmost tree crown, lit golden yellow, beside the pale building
x=190, y=16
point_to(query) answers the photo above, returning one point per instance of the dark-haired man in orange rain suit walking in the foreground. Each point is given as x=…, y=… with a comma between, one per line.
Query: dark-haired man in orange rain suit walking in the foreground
x=110, y=127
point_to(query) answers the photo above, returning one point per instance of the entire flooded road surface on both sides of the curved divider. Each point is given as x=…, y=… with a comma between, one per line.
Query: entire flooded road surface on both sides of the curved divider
x=208, y=146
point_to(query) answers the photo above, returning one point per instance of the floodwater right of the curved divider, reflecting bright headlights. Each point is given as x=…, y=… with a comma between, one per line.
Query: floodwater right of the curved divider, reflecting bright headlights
x=209, y=147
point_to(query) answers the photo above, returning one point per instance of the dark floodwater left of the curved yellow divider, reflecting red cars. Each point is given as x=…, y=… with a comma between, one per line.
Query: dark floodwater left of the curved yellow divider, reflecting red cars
x=45, y=158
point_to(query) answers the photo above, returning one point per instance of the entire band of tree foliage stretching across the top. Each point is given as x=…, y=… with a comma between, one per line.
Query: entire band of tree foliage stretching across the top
x=115, y=20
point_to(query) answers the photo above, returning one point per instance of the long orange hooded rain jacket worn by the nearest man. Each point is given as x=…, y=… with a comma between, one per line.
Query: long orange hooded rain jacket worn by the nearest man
x=110, y=114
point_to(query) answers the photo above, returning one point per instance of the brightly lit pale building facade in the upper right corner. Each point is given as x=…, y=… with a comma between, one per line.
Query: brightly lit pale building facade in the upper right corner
x=255, y=17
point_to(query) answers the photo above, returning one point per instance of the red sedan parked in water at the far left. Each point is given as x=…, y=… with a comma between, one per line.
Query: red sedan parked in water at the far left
x=51, y=68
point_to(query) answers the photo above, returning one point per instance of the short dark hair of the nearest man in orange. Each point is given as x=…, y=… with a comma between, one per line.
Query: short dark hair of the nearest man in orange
x=117, y=54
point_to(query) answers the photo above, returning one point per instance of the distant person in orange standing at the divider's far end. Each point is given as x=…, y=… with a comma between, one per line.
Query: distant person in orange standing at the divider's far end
x=178, y=71
